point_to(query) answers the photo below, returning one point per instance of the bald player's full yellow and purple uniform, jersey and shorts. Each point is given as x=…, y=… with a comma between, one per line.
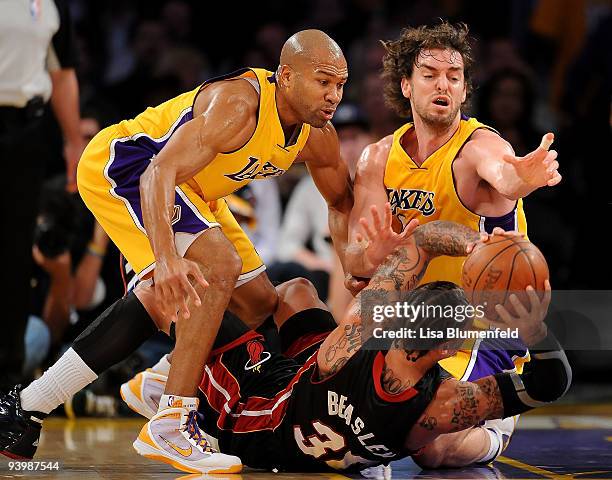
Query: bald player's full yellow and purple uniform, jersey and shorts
x=110, y=169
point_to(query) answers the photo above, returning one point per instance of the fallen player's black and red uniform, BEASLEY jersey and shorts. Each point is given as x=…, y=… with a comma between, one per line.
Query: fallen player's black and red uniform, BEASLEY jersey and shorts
x=273, y=411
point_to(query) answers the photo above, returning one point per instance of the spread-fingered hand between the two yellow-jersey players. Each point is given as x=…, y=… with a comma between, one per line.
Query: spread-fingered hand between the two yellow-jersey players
x=380, y=238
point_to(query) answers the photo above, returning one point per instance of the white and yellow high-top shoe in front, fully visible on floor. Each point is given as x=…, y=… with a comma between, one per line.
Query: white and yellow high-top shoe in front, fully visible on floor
x=173, y=436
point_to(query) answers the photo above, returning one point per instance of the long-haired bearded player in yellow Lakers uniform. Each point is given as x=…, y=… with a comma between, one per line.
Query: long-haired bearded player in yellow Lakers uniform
x=443, y=165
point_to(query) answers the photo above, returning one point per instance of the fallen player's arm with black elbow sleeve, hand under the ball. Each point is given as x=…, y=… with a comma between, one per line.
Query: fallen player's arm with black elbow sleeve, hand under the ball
x=461, y=405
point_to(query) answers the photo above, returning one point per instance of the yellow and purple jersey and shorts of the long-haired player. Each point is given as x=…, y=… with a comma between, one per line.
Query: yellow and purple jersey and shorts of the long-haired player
x=427, y=192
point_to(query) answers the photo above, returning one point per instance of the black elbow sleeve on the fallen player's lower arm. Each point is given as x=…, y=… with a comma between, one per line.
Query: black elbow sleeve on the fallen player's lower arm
x=545, y=379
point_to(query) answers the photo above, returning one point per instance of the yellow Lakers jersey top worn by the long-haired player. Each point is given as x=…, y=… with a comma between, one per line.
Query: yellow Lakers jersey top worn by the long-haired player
x=427, y=192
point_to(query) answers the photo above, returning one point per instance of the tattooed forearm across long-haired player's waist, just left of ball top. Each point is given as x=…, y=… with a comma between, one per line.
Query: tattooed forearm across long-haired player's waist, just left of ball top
x=444, y=238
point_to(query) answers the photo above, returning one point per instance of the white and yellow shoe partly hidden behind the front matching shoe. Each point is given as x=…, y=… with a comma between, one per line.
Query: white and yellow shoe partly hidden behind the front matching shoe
x=142, y=393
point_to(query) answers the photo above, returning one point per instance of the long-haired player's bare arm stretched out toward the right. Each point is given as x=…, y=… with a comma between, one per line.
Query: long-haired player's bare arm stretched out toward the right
x=513, y=177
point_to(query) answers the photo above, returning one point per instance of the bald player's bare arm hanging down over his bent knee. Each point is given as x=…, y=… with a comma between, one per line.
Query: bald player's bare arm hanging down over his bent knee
x=224, y=119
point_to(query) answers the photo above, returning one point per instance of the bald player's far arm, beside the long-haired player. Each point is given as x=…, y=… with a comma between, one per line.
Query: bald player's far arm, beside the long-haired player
x=330, y=173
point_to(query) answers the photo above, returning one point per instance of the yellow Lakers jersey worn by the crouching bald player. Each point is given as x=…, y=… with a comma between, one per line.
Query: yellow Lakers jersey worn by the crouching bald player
x=266, y=154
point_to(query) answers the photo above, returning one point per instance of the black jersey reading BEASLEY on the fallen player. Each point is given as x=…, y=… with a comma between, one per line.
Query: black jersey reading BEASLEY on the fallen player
x=348, y=421
